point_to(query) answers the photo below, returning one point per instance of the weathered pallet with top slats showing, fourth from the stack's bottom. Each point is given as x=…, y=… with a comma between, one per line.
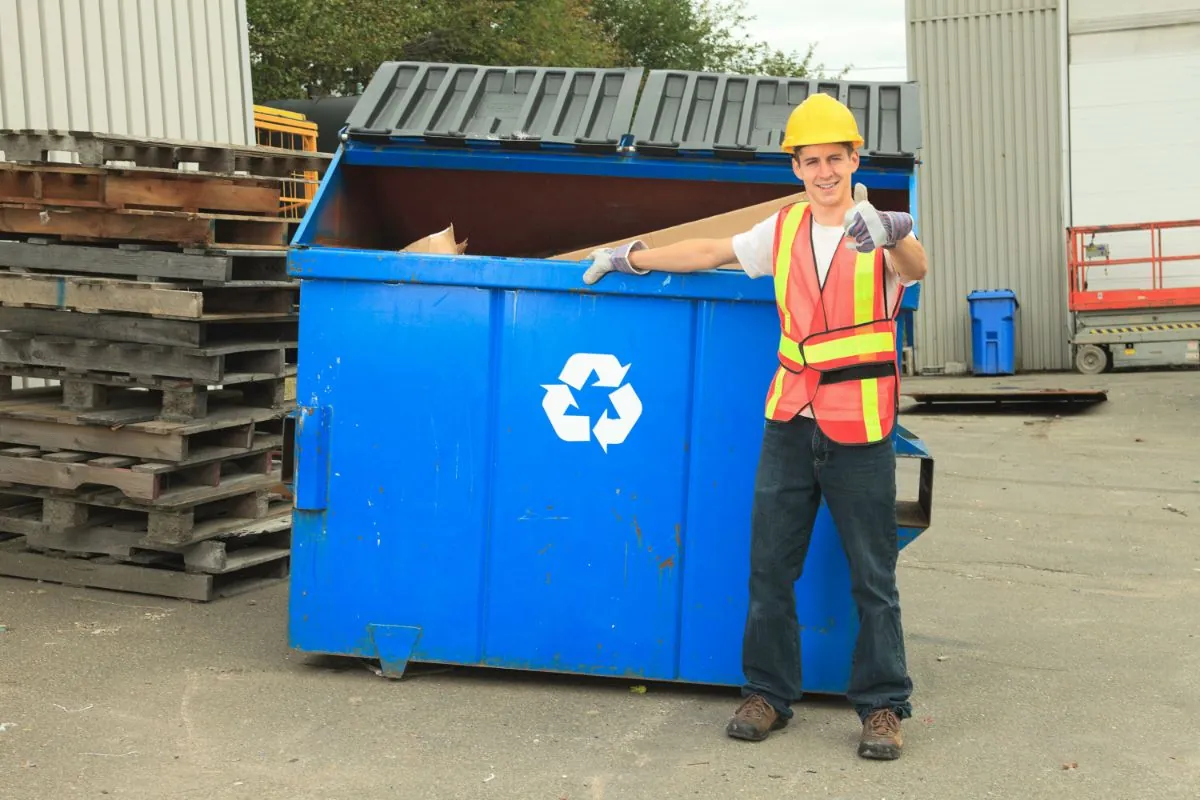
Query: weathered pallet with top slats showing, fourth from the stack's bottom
x=135, y=478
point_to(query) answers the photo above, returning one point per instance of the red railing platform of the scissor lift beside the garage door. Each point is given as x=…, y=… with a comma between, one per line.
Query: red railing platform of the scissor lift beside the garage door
x=1156, y=297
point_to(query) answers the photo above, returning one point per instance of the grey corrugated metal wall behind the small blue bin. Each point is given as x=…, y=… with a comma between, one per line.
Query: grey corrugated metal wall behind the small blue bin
x=992, y=184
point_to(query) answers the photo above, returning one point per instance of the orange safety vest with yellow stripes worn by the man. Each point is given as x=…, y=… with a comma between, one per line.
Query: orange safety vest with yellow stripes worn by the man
x=838, y=342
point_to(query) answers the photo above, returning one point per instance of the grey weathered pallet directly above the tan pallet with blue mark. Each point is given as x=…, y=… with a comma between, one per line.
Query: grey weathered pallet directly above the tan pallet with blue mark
x=142, y=262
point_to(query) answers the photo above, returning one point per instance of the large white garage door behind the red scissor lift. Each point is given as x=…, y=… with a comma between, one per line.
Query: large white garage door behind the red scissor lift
x=1135, y=100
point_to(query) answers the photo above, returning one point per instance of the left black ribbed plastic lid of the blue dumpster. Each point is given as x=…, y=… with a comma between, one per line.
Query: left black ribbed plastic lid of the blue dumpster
x=524, y=107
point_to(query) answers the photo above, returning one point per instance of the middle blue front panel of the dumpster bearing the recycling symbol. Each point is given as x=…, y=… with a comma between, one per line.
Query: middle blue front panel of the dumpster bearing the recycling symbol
x=590, y=491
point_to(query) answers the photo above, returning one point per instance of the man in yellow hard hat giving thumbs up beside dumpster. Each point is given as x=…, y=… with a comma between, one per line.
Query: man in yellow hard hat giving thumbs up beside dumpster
x=839, y=270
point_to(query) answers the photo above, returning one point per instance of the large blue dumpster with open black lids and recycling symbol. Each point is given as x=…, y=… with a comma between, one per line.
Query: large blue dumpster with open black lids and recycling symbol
x=495, y=465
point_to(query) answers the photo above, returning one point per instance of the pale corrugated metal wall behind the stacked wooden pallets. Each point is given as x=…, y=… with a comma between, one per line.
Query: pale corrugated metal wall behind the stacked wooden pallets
x=171, y=69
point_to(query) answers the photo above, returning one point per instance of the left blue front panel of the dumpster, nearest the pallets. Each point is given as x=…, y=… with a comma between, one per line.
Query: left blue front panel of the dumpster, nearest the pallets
x=410, y=462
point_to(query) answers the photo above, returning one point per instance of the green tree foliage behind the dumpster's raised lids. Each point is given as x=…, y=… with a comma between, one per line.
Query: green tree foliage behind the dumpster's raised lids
x=305, y=49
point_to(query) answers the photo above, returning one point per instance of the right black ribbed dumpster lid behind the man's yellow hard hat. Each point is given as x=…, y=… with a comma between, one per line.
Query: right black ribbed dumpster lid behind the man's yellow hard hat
x=743, y=117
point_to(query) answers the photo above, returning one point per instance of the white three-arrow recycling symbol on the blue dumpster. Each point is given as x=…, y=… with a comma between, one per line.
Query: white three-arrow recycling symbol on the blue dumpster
x=577, y=428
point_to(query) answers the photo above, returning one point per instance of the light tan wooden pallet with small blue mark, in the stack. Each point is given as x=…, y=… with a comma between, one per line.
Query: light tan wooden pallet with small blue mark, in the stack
x=154, y=299
